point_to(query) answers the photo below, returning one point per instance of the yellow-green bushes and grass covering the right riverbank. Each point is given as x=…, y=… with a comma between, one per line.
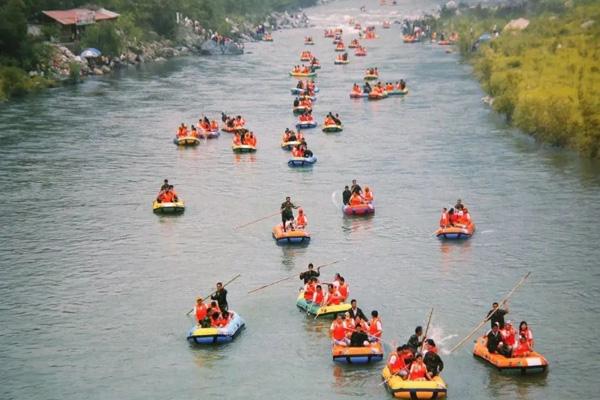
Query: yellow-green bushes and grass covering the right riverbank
x=546, y=78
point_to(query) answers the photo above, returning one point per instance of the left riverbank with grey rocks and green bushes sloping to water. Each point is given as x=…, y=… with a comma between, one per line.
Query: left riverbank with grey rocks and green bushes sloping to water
x=129, y=41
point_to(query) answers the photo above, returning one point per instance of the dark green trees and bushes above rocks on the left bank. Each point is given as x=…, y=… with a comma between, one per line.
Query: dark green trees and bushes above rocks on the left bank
x=140, y=20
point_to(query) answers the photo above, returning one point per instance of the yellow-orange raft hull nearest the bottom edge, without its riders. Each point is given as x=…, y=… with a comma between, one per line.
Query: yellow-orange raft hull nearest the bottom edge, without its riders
x=405, y=389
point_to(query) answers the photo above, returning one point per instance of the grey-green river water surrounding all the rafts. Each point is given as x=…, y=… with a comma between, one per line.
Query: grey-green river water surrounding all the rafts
x=95, y=287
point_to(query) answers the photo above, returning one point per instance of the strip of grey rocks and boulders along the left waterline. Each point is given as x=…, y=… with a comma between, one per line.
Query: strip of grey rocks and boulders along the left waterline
x=191, y=39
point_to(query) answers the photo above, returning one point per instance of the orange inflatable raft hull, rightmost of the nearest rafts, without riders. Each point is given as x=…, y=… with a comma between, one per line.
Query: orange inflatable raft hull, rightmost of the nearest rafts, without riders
x=532, y=364
